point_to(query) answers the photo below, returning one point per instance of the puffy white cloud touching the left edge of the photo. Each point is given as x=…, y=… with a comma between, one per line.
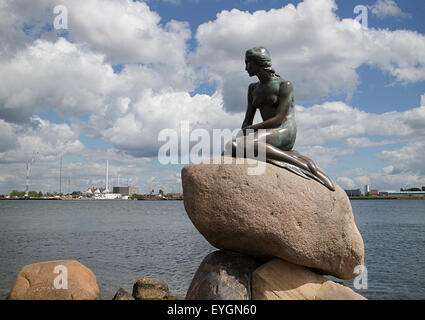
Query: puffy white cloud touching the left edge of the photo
x=60, y=76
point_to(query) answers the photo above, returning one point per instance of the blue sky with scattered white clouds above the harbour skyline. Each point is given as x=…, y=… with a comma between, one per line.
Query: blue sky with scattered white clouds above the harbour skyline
x=123, y=71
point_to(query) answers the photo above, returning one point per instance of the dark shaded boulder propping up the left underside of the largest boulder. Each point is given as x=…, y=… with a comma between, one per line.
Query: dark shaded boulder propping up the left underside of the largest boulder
x=223, y=275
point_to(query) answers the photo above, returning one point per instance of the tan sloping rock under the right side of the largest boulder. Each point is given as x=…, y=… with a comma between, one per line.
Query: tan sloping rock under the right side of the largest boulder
x=281, y=280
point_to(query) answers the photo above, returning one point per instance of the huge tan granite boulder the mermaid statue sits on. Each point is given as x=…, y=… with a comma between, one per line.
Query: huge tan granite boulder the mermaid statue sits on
x=274, y=214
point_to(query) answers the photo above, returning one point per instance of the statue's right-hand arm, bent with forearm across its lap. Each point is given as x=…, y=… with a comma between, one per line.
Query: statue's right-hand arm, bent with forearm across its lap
x=285, y=92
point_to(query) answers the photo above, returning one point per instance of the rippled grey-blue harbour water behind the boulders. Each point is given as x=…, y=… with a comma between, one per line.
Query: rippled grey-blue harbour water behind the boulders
x=121, y=241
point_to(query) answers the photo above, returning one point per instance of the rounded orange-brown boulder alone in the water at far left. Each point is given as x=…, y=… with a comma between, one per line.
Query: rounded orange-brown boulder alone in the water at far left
x=55, y=280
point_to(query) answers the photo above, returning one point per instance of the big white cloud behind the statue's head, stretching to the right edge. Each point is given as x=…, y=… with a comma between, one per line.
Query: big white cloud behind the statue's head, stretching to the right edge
x=310, y=46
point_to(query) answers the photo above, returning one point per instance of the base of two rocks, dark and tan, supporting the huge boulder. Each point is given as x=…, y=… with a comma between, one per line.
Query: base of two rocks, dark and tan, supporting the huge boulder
x=226, y=275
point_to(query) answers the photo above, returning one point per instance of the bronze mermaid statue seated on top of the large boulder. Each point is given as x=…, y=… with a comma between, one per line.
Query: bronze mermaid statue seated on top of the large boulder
x=274, y=97
